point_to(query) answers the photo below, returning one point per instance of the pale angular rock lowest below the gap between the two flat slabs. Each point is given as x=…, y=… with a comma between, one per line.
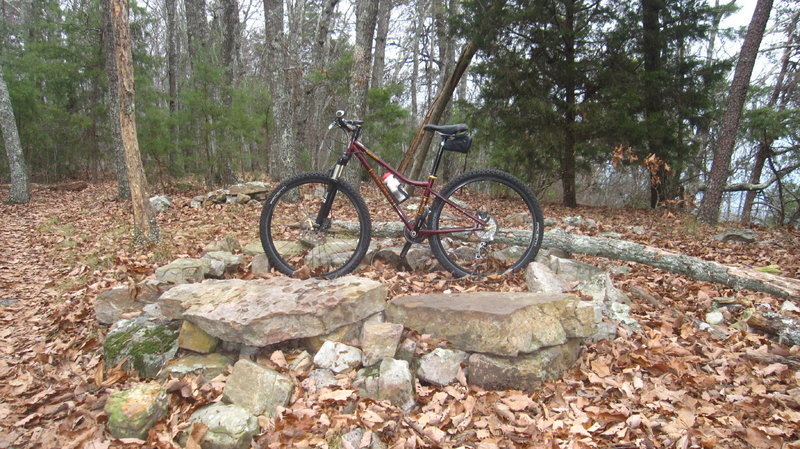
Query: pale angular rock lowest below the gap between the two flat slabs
x=391, y=380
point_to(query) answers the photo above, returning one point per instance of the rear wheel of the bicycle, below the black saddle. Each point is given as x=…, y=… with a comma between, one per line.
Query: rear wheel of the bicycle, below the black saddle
x=509, y=241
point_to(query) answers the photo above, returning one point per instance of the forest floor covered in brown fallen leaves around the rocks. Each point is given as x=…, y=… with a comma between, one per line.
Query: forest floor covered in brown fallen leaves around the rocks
x=671, y=385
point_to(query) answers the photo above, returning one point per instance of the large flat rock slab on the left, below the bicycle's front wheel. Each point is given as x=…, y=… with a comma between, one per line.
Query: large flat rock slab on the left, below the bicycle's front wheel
x=266, y=311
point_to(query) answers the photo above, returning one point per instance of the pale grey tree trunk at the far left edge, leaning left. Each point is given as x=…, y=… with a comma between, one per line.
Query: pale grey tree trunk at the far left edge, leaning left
x=19, y=193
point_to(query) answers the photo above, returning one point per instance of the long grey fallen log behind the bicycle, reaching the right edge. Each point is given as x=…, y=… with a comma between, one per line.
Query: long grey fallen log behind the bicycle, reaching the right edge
x=739, y=278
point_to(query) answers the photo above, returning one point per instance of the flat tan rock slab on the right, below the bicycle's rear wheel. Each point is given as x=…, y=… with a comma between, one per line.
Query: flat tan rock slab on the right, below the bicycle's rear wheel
x=504, y=324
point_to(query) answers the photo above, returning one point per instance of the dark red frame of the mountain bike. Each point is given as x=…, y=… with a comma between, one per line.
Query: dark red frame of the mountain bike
x=361, y=152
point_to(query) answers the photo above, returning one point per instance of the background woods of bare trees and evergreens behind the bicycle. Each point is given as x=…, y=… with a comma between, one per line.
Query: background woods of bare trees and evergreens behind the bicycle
x=593, y=102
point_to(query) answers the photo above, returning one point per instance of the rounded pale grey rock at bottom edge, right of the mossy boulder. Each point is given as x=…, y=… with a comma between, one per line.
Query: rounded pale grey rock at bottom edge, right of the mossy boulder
x=229, y=426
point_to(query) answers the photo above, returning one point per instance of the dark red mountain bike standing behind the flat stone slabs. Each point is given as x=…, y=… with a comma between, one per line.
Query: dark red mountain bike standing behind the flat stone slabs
x=316, y=223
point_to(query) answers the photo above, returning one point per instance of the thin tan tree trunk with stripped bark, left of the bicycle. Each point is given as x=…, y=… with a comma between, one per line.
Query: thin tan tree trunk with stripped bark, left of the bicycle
x=145, y=227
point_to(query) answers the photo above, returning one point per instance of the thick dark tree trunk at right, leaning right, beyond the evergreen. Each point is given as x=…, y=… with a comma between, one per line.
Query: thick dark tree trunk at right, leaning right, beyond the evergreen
x=720, y=167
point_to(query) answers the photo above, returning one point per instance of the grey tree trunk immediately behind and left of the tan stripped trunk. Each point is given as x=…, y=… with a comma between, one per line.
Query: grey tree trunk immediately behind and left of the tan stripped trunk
x=112, y=98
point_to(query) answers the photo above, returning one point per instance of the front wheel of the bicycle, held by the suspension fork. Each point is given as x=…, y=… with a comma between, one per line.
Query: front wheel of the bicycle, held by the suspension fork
x=316, y=224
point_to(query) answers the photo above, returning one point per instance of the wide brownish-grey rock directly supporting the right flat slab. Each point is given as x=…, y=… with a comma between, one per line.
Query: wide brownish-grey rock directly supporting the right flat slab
x=525, y=372
